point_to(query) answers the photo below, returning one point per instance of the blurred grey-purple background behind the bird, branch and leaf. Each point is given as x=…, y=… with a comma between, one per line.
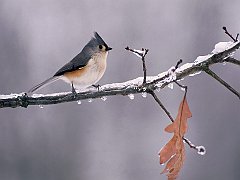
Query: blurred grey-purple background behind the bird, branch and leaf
x=118, y=138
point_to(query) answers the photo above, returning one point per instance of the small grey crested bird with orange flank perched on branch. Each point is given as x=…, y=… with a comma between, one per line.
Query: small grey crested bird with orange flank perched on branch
x=85, y=69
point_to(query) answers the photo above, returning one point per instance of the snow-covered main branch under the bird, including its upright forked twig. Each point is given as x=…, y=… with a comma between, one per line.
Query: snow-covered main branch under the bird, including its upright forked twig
x=222, y=52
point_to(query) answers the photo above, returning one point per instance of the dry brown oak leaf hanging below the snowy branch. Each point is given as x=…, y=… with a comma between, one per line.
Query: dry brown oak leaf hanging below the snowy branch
x=174, y=151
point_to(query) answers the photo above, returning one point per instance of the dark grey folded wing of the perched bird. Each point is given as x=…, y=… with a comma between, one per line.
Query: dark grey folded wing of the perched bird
x=77, y=62
